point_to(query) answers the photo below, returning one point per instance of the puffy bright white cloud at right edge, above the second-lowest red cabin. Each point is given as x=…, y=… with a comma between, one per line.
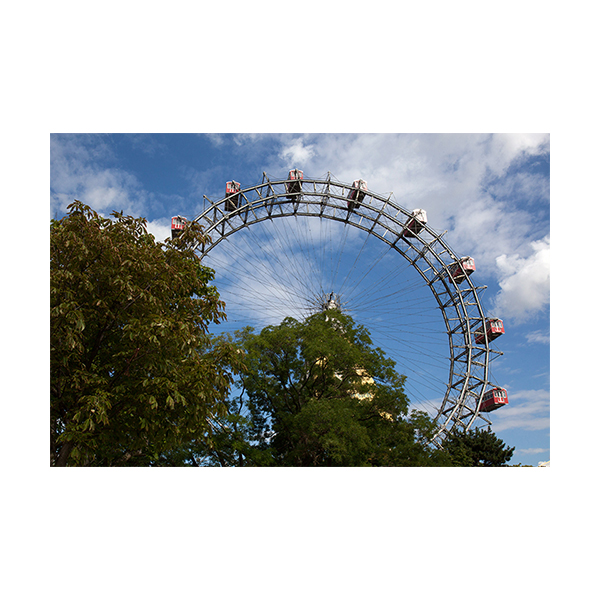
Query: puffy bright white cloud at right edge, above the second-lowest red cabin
x=524, y=282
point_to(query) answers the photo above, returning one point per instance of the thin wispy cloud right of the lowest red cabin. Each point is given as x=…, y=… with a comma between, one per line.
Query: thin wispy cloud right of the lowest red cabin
x=527, y=409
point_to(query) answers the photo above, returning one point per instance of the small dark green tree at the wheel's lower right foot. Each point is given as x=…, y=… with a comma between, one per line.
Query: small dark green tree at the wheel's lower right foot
x=477, y=448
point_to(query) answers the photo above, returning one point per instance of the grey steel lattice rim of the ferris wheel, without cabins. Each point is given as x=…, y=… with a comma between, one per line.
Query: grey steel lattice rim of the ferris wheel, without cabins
x=427, y=252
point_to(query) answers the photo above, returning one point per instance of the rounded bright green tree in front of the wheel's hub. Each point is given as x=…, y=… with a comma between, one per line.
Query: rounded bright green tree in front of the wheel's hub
x=317, y=393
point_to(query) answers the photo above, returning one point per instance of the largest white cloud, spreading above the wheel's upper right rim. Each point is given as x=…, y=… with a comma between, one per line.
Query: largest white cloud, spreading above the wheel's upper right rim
x=458, y=178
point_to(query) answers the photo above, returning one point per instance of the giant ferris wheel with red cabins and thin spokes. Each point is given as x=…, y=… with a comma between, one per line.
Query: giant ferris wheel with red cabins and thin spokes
x=296, y=246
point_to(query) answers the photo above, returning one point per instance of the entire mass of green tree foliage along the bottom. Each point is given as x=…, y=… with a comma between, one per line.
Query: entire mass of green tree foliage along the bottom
x=136, y=379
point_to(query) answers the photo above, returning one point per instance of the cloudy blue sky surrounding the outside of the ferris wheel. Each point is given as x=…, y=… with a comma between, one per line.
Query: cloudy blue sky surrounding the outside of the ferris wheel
x=489, y=191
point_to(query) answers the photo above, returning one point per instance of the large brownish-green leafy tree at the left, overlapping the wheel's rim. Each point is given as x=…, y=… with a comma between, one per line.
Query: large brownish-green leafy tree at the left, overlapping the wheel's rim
x=134, y=372
